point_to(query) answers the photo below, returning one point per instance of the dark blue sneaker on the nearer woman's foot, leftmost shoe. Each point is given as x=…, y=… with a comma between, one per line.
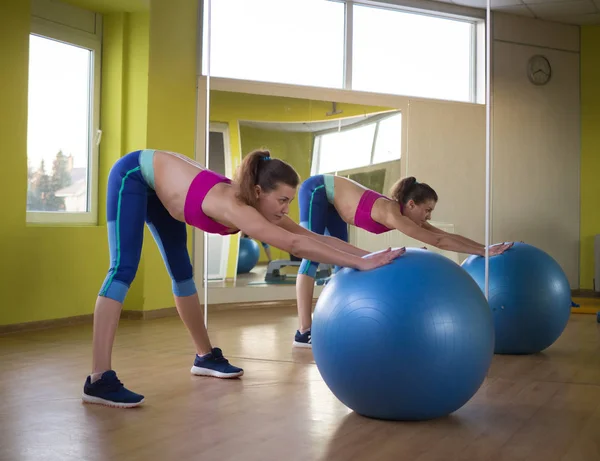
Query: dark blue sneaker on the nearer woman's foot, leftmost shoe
x=109, y=391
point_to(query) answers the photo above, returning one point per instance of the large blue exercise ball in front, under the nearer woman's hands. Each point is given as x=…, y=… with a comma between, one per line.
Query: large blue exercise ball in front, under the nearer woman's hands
x=412, y=340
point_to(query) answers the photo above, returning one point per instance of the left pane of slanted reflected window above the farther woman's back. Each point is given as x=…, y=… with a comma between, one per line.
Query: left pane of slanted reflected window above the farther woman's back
x=343, y=150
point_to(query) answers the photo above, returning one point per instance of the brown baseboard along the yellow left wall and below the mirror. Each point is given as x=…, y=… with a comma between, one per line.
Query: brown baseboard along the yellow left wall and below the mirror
x=138, y=315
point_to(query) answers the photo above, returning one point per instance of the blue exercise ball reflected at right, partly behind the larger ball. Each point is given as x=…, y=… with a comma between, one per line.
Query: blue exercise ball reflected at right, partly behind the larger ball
x=529, y=295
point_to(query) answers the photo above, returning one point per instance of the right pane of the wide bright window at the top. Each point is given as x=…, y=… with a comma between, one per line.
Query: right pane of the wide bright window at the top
x=411, y=54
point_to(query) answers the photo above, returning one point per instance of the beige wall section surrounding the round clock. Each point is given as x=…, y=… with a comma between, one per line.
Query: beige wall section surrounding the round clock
x=536, y=139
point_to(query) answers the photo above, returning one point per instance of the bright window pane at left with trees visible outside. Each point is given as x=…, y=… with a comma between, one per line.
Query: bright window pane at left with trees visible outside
x=58, y=126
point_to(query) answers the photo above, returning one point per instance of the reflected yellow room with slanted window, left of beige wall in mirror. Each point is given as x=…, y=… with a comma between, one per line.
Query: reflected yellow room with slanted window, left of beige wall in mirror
x=360, y=142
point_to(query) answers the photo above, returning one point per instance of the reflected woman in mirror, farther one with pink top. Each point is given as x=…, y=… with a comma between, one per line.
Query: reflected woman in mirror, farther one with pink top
x=329, y=203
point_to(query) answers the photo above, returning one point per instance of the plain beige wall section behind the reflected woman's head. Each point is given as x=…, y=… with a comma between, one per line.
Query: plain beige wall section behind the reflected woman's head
x=446, y=149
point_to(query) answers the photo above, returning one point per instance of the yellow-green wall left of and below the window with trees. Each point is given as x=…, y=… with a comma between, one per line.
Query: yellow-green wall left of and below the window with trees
x=33, y=286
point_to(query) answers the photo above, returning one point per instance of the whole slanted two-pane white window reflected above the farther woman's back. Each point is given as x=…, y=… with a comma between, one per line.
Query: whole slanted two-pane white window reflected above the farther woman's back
x=365, y=143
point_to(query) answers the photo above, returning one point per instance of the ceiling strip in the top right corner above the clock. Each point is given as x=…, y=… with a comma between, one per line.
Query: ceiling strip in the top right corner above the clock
x=579, y=12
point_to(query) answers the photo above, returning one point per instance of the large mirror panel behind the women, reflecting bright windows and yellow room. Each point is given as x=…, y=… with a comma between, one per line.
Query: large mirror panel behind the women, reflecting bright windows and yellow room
x=370, y=137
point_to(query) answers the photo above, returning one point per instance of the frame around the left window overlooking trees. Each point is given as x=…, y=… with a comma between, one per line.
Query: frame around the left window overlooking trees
x=93, y=42
